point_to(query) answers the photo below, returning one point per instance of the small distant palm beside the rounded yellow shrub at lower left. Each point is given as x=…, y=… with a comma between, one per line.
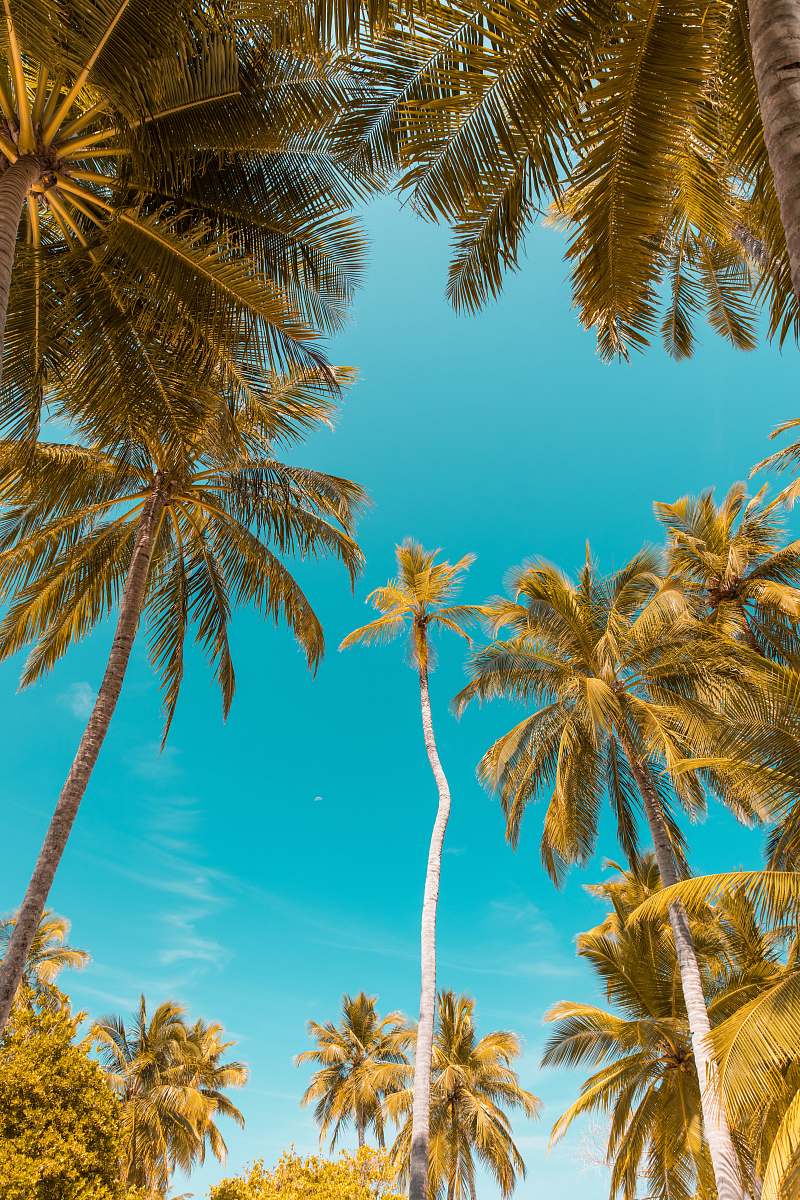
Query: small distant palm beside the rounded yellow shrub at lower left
x=171, y=1084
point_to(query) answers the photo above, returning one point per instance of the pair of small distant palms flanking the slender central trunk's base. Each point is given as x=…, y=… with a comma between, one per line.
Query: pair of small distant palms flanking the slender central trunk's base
x=365, y=1079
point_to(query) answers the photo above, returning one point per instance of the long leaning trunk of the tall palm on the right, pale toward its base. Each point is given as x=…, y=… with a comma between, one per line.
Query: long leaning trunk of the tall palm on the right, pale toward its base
x=715, y=1121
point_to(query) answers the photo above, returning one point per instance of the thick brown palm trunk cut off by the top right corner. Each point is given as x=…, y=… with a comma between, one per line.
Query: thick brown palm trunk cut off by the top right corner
x=775, y=43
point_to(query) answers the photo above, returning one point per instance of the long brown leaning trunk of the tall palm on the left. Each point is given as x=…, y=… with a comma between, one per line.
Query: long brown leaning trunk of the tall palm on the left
x=33, y=907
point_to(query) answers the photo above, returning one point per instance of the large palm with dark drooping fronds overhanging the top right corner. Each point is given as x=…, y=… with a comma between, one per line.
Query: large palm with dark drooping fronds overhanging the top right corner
x=672, y=171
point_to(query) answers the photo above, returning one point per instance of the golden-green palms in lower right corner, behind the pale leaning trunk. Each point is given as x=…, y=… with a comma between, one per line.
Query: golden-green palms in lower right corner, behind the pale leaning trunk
x=643, y=1082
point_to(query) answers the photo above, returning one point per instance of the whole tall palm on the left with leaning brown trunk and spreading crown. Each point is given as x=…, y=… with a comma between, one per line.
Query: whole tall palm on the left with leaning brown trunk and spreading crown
x=182, y=527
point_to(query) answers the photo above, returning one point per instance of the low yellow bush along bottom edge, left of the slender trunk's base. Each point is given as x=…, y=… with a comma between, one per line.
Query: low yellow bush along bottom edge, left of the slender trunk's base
x=364, y=1177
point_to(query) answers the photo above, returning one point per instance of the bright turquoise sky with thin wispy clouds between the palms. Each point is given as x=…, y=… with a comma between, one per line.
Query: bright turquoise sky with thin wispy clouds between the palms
x=257, y=871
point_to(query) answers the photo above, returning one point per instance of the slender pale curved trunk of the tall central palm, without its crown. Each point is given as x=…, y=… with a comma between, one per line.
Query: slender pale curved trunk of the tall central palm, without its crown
x=422, y=1108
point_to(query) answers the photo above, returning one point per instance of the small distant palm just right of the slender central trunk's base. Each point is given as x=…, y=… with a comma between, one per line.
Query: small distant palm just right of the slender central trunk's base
x=473, y=1089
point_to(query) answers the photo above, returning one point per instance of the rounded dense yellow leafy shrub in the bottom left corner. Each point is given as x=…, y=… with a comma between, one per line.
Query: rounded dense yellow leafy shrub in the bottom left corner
x=59, y=1120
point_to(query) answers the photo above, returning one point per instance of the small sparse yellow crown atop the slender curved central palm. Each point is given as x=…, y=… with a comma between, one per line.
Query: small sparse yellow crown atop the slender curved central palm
x=419, y=597
